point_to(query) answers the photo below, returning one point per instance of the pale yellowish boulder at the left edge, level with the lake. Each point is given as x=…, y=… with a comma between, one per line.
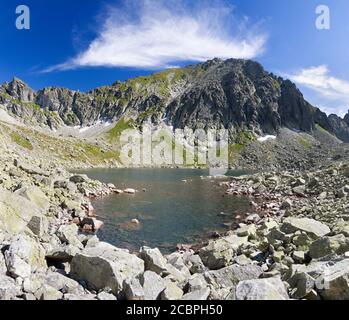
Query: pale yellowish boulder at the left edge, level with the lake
x=16, y=212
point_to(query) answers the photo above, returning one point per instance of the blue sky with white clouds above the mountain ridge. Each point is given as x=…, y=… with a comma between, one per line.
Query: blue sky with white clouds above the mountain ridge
x=83, y=44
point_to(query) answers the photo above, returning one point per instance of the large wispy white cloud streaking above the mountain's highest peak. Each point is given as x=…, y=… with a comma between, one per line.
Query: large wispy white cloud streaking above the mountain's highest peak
x=155, y=34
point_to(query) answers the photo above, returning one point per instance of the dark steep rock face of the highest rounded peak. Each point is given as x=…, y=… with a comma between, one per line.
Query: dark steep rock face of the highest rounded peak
x=233, y=94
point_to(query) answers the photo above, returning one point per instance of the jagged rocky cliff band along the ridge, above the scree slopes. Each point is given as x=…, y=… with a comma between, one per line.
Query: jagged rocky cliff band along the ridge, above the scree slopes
x=235, y=94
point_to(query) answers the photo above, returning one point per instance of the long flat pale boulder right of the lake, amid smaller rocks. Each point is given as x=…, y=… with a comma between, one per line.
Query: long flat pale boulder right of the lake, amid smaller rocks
x=312, y=227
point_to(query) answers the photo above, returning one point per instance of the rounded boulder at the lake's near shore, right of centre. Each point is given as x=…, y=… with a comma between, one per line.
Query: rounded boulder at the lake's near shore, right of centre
x=218, y=254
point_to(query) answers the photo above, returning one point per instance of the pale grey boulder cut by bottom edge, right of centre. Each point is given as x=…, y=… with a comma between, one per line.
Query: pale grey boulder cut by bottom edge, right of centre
x=262, y=289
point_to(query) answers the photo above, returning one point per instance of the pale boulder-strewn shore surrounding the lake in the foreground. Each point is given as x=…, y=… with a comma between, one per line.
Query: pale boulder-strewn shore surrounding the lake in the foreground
x=295, y=245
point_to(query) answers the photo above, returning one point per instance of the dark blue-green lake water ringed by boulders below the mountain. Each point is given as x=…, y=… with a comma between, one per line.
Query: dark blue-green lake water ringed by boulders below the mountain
x=171, y=211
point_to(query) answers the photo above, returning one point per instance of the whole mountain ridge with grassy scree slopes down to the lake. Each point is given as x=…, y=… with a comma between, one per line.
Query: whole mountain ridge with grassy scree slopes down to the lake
x=235, y=94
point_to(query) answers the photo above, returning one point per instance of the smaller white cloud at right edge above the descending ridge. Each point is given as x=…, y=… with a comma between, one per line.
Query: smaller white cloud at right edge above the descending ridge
x=332, y=93
